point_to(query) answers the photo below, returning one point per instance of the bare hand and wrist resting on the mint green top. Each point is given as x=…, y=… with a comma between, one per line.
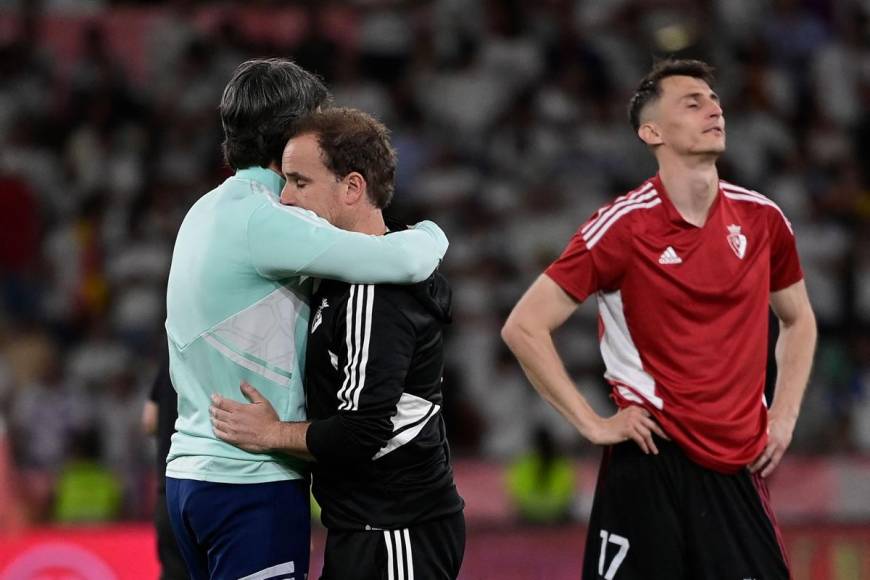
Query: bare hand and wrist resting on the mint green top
x=255, y=427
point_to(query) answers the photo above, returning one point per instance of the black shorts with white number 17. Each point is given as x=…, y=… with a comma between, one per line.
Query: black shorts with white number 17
x=664, y=516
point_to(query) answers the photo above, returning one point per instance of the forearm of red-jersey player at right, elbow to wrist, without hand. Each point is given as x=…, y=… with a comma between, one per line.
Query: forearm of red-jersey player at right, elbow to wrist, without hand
x=794, y=357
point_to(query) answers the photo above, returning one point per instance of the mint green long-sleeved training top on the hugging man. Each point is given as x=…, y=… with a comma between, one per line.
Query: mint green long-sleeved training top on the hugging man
x=237, y=310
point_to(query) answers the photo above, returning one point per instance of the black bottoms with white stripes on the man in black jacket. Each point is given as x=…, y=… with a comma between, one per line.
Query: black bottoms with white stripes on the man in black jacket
x=431, y=550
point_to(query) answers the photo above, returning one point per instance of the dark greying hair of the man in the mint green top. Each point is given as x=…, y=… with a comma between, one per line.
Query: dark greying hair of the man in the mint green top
x=260, y=104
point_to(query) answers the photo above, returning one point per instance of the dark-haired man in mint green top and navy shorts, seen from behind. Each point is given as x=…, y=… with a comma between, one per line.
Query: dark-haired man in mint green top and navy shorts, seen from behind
x=237, y=310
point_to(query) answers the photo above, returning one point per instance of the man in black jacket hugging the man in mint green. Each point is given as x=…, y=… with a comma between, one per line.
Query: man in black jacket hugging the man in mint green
x=373, y=379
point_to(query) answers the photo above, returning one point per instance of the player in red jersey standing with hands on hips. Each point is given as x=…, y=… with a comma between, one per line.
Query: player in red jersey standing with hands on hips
x=683, y=269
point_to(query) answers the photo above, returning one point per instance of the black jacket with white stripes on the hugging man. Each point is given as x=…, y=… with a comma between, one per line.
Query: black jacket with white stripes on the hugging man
x=373, y=387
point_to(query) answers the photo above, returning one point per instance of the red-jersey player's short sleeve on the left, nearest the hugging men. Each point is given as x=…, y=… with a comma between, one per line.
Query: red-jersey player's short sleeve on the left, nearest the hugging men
x=593, y=260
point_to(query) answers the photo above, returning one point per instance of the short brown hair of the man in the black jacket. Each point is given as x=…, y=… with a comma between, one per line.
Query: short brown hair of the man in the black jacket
x=351, y=140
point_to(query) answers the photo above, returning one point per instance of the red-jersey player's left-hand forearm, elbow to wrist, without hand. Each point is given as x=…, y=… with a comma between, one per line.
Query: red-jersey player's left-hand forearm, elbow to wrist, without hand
x=541, y=363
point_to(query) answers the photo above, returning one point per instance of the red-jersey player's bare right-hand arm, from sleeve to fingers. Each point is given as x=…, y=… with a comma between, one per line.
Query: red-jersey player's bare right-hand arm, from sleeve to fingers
x=794, y=358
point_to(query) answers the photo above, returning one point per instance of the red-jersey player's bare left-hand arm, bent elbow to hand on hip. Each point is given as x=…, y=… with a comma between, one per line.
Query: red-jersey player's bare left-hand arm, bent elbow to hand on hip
x=528, y=332
